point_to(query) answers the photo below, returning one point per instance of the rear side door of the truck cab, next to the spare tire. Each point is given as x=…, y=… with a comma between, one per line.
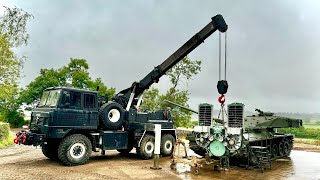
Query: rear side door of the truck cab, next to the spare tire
x=90, y=110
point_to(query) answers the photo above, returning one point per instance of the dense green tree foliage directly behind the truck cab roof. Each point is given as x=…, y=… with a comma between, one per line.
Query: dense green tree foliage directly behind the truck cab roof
x=74, y=74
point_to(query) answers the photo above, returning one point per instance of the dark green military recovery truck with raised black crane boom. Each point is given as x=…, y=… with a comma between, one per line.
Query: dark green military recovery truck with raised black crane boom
x=70, y=123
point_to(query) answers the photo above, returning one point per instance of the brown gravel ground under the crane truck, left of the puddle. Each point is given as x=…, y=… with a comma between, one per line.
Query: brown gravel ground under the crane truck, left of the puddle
x=26, y=162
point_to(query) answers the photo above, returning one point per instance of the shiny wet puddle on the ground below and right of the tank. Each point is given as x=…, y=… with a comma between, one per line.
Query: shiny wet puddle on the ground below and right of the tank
x=300, y=165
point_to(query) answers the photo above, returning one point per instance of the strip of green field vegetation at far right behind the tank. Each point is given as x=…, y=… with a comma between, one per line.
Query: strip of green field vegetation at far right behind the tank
x=303, y=132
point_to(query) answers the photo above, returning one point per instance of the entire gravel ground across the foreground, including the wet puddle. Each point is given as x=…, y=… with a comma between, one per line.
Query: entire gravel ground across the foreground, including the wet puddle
x=26, y=162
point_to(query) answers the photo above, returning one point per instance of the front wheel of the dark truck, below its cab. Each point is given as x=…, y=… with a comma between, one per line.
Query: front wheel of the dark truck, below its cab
x=74, y=150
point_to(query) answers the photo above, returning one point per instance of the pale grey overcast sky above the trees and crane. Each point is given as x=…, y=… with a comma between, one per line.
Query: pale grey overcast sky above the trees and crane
x=273, y=46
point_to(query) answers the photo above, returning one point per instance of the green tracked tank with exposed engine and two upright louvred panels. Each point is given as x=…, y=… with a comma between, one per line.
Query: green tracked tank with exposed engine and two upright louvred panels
x=244, y=140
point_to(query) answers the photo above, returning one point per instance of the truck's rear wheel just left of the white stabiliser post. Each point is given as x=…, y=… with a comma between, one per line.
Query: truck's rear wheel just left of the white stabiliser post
x=146, y=148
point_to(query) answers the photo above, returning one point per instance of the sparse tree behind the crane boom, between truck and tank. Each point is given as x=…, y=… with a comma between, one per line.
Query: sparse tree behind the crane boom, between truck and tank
x=181, y=73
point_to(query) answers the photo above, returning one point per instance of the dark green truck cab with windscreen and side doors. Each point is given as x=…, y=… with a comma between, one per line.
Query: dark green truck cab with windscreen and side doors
x=62, y=109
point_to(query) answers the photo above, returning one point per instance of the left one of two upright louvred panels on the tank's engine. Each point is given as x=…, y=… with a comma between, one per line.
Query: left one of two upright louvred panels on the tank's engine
x=205, y=114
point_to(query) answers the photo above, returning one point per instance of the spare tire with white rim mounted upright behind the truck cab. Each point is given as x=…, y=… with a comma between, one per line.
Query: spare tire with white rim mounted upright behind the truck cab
x=111, y=115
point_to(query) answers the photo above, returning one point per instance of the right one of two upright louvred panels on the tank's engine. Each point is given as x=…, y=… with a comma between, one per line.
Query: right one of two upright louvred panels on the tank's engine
x=235, y=115
